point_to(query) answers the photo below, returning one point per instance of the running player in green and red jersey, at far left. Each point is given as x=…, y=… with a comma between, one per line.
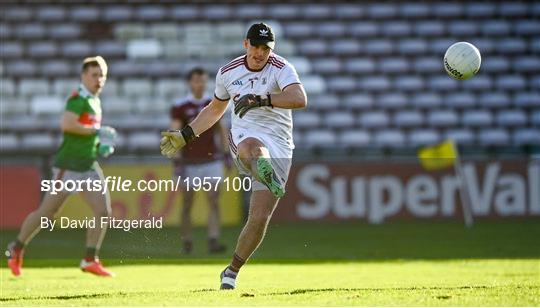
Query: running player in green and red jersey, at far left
x=84, y=139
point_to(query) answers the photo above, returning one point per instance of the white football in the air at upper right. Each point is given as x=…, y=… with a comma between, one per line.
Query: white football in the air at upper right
x=462, y=60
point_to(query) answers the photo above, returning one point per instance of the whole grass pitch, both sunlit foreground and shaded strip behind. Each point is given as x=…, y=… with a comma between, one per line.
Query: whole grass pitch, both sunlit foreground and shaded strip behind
x=396, y=264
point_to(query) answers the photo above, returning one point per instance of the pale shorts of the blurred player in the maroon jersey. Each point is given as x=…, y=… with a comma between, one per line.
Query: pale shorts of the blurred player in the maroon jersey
x=212, y=171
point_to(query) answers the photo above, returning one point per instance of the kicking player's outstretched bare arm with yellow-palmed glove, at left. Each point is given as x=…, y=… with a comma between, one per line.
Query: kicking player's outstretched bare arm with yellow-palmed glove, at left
x=172, y=141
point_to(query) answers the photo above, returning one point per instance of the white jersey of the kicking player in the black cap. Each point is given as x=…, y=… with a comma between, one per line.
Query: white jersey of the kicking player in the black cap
x=235, y=79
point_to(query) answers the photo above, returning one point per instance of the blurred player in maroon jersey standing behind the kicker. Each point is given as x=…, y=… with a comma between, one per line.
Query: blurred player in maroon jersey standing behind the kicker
x=202, y=158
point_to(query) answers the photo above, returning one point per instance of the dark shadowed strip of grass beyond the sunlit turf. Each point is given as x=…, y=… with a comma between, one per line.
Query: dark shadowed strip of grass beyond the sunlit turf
x=301, y=243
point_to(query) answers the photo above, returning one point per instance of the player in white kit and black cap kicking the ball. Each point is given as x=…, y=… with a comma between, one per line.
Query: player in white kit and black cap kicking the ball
x=264, y=88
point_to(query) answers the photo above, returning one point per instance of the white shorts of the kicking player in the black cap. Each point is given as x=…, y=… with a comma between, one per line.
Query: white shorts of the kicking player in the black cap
x=281, y=154
